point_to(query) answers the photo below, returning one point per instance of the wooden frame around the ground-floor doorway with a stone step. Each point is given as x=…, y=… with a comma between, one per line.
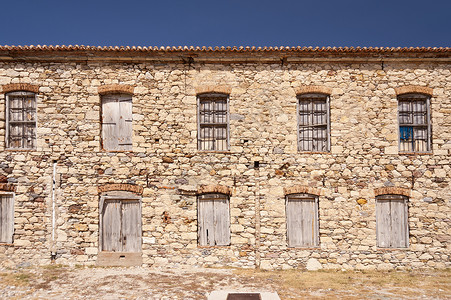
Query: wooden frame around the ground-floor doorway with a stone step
x=120, y=196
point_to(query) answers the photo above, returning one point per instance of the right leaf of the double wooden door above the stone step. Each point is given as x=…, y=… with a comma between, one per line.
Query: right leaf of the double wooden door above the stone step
x=131, y=226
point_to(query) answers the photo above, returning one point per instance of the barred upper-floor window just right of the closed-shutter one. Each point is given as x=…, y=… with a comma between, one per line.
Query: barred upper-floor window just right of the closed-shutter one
x=213, y=122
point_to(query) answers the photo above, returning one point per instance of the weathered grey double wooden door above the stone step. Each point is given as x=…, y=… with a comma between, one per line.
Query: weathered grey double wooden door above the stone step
x=121, y=225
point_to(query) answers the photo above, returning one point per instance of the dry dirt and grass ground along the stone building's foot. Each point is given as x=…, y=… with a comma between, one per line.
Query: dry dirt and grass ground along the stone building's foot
x=63, y=282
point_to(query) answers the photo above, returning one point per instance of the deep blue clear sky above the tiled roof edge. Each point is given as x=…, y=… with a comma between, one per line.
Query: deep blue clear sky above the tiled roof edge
x=377, y=23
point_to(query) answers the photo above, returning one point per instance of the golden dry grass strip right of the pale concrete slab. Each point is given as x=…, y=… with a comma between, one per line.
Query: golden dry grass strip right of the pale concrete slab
x=355, y=284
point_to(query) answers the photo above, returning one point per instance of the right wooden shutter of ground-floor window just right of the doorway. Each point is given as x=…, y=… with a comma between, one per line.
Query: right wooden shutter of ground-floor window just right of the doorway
x=222, y=221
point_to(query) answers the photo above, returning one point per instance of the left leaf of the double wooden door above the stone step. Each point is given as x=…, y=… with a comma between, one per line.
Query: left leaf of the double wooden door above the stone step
x=111, y=226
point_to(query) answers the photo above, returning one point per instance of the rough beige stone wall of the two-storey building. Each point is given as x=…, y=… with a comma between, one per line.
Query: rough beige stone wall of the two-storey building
x=165, y=162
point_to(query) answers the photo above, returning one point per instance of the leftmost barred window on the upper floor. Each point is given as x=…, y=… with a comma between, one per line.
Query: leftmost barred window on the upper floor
x=21, y=120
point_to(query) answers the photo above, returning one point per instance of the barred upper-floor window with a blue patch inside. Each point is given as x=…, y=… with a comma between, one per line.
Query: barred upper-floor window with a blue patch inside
x=414, y=123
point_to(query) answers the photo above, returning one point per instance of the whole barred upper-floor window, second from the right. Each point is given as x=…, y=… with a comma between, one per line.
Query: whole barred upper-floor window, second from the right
x=313, y=123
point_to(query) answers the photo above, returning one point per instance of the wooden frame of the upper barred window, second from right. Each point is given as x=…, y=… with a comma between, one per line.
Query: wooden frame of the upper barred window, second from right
x=311, y=97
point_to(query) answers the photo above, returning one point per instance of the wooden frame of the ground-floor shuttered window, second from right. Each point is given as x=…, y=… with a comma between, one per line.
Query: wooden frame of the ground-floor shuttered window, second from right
x=315, y=227
